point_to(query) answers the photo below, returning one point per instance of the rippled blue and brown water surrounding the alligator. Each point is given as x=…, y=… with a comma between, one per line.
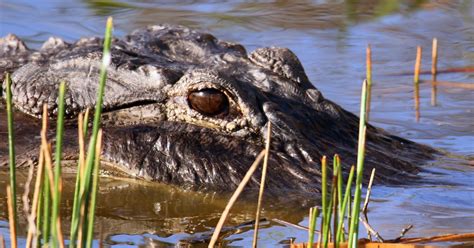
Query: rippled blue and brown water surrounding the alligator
x=330, y=38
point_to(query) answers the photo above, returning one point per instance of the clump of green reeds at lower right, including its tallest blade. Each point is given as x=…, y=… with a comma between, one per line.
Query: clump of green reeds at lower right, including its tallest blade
x=335, y=208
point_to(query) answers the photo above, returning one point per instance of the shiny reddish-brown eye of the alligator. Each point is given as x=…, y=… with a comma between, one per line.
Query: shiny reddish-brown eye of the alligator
x=209, y=102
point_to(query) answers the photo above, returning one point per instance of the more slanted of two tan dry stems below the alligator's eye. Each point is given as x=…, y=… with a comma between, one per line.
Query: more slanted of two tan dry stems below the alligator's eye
x=234, y=197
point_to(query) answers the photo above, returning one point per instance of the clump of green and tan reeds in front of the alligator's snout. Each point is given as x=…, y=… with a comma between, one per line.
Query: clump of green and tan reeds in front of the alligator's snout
x=45, y=208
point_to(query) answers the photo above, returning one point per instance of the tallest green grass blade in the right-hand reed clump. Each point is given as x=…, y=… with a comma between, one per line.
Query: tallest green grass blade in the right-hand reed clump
x=354, y=225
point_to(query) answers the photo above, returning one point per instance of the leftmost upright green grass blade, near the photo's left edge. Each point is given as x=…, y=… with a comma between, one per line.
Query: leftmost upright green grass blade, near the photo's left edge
x=11, y=144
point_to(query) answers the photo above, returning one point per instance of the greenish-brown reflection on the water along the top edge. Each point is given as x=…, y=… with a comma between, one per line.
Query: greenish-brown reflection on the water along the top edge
x=259, y=15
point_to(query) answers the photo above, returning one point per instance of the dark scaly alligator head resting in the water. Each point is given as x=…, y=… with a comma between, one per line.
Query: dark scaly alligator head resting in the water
x=182, y=107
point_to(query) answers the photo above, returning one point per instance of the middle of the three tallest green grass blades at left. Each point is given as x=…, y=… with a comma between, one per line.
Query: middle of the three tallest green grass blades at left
x=57, y=167
